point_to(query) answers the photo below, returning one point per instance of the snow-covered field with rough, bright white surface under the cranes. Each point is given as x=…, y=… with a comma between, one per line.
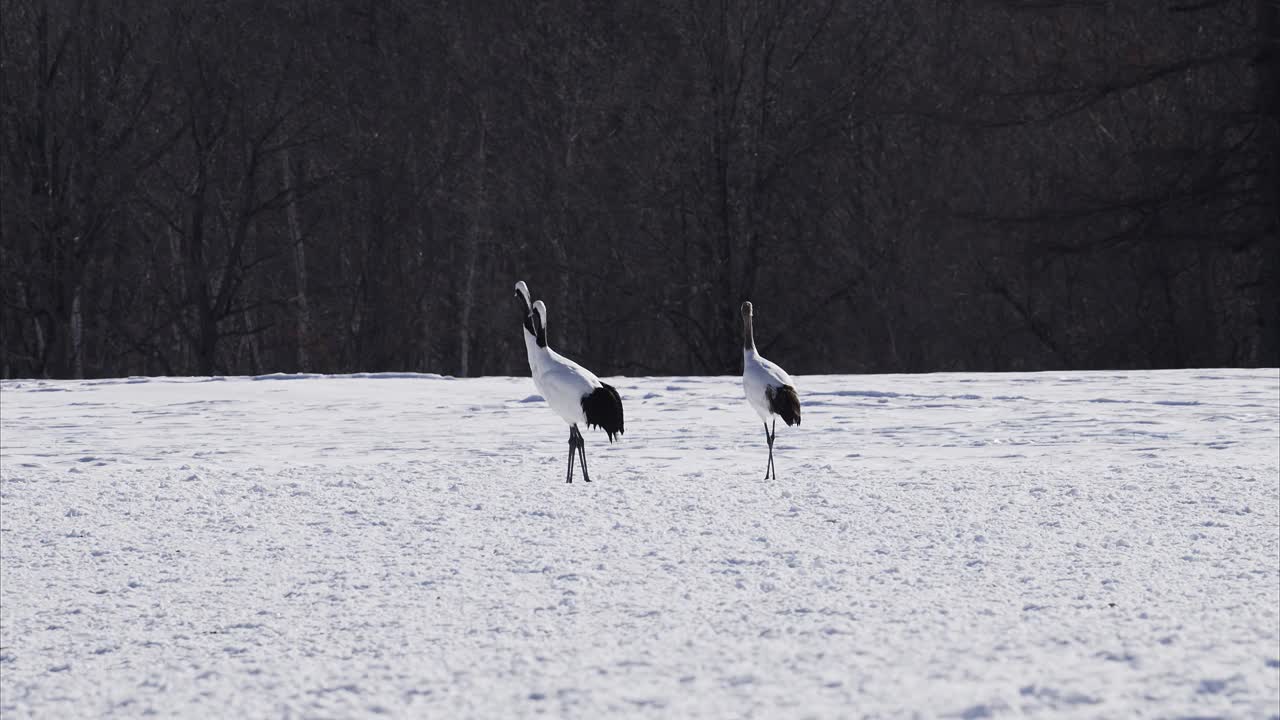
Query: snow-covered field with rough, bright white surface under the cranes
x=1064, y=545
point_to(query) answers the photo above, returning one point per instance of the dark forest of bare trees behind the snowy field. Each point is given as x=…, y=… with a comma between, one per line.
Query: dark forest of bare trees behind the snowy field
x=235, y=188
